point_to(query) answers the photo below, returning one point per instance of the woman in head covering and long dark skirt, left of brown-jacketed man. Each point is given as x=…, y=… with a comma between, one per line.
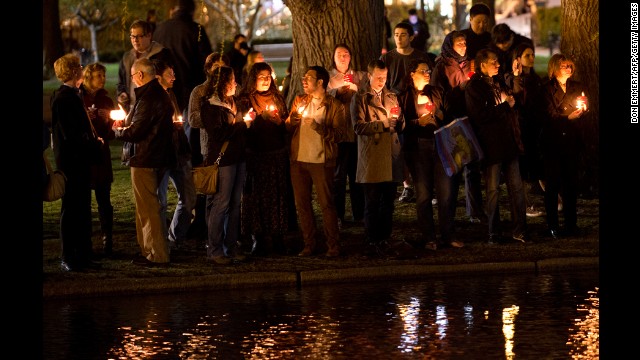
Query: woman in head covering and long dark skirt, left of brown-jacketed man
x=266, y=196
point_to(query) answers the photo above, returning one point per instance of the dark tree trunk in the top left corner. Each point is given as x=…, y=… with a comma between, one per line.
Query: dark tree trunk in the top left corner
x=52, y=47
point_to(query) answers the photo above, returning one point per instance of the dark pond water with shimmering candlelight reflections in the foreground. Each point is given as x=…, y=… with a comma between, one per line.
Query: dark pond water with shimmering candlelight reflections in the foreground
x=522, y=316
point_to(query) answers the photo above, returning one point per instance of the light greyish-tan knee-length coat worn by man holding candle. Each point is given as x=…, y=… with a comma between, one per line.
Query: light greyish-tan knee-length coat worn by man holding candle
x=379, y=157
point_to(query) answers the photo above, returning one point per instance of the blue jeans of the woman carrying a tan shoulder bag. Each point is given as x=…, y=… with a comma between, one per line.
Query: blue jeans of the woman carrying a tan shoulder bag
x=223, y=211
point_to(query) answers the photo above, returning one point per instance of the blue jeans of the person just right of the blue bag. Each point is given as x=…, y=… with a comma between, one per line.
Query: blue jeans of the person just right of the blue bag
x=515, y=188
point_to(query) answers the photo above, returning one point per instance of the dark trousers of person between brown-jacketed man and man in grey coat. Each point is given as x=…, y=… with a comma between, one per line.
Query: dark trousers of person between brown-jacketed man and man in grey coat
x=346, y=165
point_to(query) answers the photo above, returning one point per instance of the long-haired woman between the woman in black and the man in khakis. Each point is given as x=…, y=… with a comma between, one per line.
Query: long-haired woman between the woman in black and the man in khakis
x=99, y=104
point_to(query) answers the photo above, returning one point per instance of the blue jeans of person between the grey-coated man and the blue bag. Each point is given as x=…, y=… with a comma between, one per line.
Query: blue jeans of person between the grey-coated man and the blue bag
x=428, y=174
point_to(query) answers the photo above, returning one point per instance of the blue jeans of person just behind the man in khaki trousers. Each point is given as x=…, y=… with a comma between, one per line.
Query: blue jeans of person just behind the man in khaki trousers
x=183, y=182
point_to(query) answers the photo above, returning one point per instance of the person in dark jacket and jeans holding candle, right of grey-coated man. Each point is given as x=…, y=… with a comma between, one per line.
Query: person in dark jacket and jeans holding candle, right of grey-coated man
x=423, y=106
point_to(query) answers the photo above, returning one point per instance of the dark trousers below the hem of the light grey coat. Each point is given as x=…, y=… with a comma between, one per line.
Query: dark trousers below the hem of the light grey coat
x=379, y=205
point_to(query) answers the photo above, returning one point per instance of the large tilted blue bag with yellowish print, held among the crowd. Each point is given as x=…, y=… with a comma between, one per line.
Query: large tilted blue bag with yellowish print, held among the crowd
x=457, y=145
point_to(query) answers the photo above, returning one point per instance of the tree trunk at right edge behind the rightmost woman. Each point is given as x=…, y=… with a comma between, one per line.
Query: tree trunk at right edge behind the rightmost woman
x=582, y=44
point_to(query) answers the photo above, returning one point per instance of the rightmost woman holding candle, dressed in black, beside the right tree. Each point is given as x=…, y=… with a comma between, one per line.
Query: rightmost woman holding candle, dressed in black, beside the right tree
x=560, y=143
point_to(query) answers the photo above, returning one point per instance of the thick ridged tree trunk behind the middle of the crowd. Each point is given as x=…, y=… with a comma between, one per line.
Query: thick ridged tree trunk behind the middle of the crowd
x=318, y=25
